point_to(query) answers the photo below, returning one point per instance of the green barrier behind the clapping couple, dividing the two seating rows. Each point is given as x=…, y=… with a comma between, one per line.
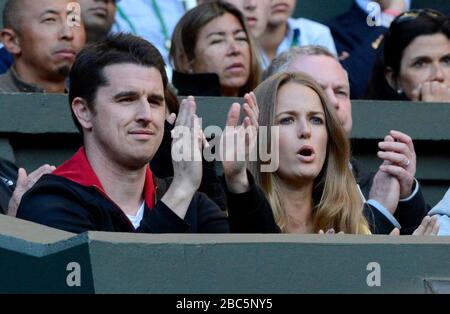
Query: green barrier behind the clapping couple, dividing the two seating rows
x=37, y=129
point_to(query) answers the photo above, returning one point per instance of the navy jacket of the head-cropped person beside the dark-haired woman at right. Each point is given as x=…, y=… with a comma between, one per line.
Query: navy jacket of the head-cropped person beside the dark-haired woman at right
x=352, y=34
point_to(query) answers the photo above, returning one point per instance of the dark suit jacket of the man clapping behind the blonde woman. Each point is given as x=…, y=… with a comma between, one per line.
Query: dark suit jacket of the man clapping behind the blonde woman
x=409, y=214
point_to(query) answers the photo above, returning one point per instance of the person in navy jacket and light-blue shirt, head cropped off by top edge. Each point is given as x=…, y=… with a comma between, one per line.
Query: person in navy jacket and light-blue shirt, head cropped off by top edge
x=358, y=34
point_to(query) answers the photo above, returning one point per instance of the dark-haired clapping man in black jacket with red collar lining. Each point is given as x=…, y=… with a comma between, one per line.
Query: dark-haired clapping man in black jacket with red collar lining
x=117, y=95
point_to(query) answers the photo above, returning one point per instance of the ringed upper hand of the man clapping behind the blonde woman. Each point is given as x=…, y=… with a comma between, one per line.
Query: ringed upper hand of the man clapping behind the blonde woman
x=399, y=157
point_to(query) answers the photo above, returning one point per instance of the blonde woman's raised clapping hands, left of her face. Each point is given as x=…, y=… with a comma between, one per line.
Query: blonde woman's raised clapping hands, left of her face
x=234, y=159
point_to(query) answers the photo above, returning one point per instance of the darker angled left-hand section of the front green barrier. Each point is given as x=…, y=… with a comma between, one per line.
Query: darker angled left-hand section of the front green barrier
x=37, y=259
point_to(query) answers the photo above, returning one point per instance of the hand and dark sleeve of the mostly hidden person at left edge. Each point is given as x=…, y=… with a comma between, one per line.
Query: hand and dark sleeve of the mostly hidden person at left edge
x=14, y=183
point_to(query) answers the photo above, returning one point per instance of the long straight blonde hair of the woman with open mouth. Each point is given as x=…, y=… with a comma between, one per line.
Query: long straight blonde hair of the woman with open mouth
x=336, y=200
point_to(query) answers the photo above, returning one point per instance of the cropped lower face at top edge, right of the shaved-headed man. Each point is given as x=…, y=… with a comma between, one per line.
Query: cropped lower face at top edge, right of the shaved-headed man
x=98, y=17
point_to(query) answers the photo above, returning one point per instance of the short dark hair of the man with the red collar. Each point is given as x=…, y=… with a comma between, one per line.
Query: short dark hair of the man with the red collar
x=87, y=75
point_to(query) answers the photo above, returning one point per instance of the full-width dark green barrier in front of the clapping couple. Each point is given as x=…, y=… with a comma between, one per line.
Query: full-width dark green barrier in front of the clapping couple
x=35, y=259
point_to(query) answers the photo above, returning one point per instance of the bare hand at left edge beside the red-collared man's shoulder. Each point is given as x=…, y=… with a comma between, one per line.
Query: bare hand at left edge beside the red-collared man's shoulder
x=24, y=183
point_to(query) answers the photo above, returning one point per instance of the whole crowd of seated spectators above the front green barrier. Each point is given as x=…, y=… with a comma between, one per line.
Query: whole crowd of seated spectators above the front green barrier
x=123, y=64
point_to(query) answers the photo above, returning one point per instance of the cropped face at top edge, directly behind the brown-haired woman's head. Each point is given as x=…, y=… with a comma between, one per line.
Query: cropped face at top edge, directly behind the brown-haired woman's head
x=256, y=12
